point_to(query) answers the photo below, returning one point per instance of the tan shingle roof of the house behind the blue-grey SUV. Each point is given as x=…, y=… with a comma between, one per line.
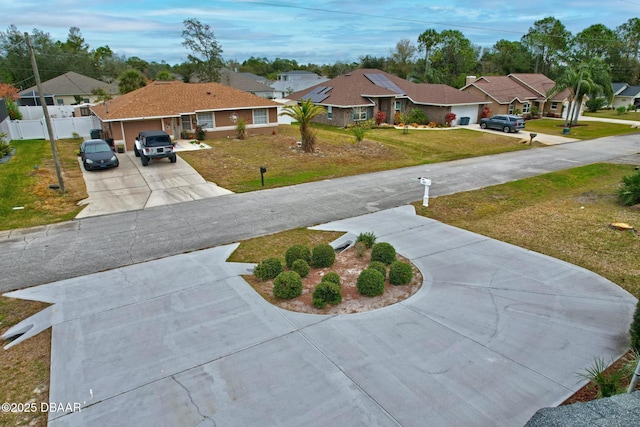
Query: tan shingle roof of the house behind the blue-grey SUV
x=523, y=87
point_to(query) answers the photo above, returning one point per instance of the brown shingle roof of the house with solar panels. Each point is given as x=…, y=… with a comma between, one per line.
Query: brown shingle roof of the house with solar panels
x=356, y=89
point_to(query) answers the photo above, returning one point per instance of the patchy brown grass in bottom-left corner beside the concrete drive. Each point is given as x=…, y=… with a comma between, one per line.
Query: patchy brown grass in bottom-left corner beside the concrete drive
x=24, y=368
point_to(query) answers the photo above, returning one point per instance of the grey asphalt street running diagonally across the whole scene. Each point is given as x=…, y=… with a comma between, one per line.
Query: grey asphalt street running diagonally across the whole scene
x=75, y=248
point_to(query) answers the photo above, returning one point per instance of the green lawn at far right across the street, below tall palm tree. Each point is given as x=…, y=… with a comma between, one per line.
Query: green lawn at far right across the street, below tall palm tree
x=584, y=130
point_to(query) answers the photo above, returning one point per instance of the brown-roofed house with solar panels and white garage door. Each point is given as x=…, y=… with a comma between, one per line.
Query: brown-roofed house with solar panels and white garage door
x=360, y=94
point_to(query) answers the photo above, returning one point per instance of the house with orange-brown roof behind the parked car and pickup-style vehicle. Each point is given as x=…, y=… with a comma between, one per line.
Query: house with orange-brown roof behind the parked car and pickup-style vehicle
x=174, y=106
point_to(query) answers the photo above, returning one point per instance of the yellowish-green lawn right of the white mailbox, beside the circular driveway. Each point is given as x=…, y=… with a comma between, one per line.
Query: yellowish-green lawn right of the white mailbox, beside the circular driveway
x=563, y=214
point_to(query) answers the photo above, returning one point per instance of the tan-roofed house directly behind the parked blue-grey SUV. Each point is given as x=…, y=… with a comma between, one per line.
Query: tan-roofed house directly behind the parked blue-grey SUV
x=523, y=92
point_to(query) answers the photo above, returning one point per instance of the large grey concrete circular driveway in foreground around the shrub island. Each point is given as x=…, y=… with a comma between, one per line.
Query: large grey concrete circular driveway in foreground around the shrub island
x=495, y=333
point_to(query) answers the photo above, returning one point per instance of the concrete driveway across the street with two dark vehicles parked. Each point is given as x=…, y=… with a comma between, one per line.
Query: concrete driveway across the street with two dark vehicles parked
x=132, y=186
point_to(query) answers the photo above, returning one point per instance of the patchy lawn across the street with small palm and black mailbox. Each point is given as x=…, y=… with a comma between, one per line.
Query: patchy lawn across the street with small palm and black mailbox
x=235, y=164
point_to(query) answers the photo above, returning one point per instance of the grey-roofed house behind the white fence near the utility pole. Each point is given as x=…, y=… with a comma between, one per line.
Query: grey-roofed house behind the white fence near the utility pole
x=68, y=89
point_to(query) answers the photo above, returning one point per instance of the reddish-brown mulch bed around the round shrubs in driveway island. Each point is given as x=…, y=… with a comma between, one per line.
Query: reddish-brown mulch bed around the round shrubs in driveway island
x=348, y=266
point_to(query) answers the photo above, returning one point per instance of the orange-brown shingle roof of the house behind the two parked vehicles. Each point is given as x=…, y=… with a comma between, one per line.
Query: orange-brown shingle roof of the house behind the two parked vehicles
x=171, y=99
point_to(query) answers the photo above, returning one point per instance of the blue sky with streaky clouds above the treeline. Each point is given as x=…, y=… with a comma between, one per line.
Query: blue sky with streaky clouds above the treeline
x=320, y=32
